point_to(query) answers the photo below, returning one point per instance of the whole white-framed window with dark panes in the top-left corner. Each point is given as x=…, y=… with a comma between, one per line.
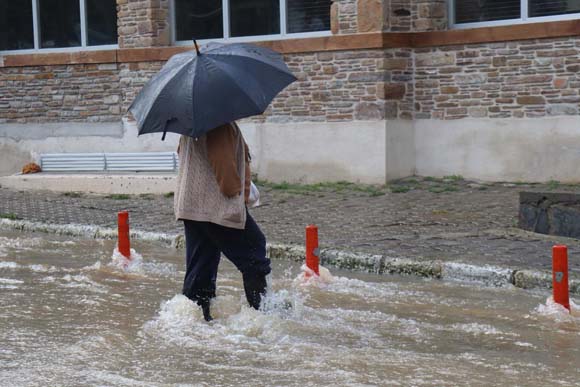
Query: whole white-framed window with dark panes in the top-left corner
x=57, y=24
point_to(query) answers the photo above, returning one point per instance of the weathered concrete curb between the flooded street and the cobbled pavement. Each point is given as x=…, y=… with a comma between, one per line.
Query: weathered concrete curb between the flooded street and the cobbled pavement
x=378, y=264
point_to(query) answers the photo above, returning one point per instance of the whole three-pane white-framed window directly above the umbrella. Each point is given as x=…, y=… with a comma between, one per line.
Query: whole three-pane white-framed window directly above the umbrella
x=244, y=19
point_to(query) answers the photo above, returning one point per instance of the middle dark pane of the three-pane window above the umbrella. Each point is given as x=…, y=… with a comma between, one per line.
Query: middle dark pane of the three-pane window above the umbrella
x=254, y=17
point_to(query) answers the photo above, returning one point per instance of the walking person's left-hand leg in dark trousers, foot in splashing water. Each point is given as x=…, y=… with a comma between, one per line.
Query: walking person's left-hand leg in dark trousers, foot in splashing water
x=202, y=260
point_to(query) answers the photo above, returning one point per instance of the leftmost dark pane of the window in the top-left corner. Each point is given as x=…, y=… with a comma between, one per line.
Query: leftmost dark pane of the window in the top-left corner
x=16, y=32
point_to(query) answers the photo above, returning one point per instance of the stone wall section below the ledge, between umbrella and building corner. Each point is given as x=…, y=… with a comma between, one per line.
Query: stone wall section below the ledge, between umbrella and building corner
x=332, y=86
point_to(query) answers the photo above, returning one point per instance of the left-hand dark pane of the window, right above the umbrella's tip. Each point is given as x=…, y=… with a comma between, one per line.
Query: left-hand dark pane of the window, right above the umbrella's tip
x=198, y=19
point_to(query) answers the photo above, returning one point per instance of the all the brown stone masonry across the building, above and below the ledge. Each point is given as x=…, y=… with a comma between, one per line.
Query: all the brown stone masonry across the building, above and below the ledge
x=516, y=79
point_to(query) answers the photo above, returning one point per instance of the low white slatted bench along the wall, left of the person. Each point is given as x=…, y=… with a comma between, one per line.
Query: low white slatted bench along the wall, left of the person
x=109, y=162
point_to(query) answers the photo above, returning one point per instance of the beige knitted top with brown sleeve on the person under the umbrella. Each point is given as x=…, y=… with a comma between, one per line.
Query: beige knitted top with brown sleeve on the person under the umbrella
x=213, y=179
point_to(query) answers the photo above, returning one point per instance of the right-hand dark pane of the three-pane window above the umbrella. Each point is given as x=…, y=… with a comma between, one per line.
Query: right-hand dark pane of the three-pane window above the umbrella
x=308, y=15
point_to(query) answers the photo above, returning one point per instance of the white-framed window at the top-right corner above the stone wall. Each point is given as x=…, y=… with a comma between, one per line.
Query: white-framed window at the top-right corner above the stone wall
x=497, y=12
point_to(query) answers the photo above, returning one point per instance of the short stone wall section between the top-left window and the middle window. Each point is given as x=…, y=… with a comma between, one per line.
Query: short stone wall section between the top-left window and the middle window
x=143, y=23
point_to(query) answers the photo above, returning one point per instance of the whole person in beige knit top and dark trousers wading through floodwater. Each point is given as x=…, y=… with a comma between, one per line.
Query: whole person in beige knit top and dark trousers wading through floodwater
x=213, y=187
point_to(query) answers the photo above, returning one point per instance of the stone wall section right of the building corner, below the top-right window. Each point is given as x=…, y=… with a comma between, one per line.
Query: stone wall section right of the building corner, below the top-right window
x=501, y=80
